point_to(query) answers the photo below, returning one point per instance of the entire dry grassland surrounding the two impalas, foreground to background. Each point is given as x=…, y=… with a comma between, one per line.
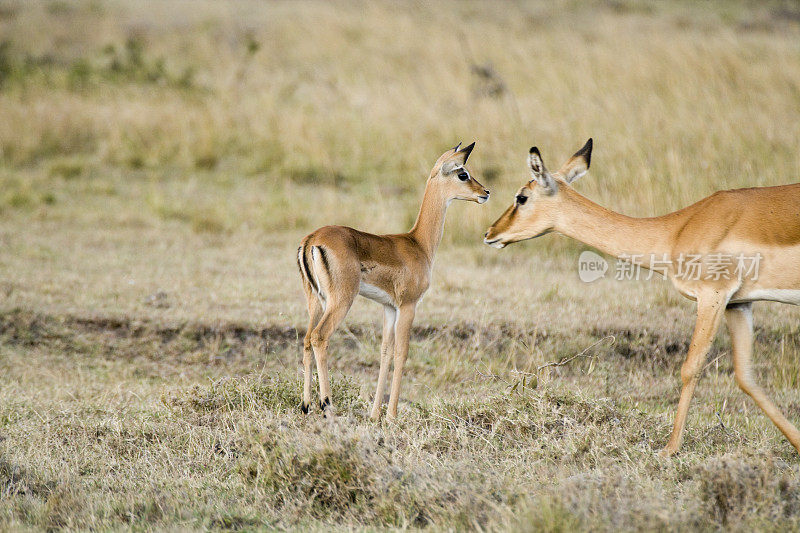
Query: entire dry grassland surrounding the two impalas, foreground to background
x=160, y=161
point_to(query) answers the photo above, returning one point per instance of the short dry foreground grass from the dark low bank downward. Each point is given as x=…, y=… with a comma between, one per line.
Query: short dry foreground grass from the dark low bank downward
x=109, y=423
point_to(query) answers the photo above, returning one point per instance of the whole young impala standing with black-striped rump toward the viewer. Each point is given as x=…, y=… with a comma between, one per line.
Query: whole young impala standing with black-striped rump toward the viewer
x=339, y=263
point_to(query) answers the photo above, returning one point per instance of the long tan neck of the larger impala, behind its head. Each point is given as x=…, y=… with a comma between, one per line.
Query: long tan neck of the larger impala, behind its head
x=612, y=232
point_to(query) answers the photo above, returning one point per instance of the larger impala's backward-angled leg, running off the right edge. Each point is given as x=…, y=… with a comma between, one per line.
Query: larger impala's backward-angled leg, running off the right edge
x=740, y=325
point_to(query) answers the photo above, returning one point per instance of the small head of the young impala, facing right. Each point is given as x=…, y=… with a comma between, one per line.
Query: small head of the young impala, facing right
x=452, y=179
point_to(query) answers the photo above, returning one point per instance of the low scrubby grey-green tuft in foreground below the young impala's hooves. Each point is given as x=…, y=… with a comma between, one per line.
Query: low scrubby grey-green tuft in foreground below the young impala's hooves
x=347, y=477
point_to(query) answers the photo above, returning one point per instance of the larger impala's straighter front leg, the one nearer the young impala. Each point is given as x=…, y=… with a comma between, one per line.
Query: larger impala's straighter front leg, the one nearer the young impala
x=710, y=308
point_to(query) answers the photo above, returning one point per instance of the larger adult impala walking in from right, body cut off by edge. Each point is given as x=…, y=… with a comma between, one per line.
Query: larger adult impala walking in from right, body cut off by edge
x=761, y=225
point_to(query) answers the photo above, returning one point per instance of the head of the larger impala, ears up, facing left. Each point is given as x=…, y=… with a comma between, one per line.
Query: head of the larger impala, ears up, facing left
x=538, y=203
